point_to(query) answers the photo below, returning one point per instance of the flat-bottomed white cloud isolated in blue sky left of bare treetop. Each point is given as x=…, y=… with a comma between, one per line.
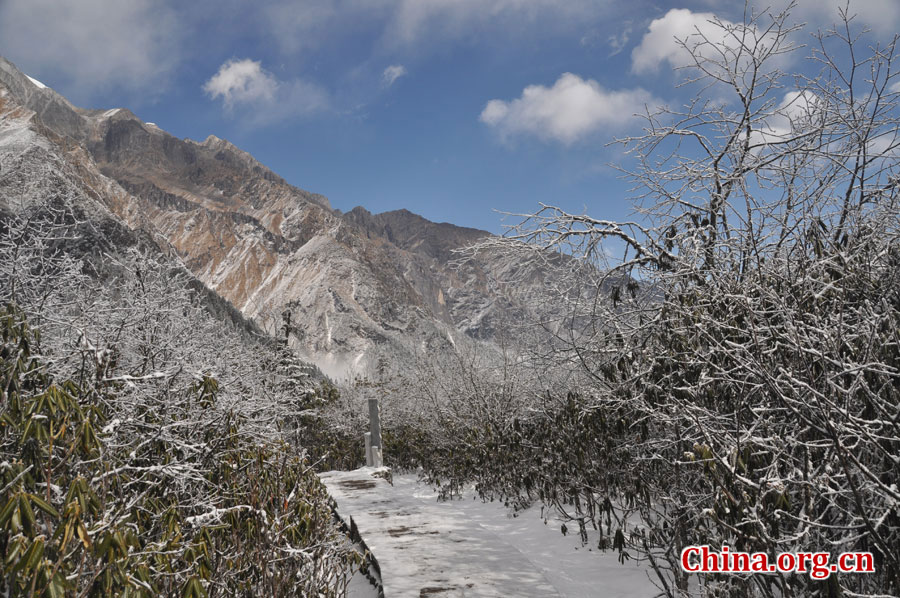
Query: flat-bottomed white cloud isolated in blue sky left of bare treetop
x=572, y=109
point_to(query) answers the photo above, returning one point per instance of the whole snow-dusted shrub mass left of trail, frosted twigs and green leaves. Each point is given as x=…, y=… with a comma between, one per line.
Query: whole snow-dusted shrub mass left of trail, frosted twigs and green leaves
x=147, y=449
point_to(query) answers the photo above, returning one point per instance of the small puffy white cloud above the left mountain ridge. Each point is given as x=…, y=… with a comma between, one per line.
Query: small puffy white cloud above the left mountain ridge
x=245, y=84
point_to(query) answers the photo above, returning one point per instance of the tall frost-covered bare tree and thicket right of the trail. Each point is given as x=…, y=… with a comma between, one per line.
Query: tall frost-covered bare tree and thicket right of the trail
x=745, y=358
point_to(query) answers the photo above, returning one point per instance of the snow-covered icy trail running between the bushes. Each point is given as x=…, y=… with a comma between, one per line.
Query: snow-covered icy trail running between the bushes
x=467, y=548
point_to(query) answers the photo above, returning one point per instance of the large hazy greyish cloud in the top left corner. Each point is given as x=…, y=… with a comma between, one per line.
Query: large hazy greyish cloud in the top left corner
x=89, y=46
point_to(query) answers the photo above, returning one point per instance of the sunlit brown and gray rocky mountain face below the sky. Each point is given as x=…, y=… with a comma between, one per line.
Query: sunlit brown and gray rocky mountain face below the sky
x=359, y=287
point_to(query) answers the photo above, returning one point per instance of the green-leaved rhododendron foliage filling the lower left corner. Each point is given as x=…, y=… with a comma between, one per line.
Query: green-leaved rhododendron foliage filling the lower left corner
x=84, y=514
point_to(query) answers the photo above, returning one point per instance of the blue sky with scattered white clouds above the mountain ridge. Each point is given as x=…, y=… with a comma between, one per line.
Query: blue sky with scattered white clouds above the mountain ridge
x=449, y=108
